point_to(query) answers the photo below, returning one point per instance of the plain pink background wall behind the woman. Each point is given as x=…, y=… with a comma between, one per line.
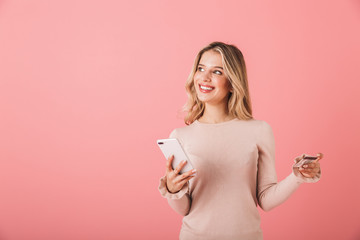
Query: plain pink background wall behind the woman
x=86, y=88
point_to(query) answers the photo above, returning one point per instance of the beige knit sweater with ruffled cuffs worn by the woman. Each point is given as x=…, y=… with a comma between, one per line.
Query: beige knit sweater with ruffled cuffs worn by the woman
x=235, y=162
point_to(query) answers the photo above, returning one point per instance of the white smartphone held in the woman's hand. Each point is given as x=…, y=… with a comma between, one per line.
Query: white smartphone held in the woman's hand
x=171, y=146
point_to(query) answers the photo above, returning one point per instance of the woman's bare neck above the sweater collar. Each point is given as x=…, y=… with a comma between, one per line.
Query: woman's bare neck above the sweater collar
x=215, y=114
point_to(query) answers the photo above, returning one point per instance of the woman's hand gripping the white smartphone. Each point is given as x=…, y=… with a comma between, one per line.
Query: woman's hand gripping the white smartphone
x=174, y=180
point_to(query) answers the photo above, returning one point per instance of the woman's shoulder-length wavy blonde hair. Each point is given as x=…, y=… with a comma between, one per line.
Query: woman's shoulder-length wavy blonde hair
x=239, y=103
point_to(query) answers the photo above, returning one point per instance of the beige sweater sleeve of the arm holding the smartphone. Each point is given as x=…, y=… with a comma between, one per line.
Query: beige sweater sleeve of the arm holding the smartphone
x=180, y=201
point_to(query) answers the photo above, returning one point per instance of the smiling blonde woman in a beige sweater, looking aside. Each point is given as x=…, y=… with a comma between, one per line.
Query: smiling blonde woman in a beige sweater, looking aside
x=232, y=153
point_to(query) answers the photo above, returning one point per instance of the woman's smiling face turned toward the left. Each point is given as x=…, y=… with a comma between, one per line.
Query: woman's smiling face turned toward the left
x=211, y=84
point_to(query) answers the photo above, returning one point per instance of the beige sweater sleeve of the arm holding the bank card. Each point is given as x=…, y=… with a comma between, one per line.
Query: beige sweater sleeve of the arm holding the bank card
x=271, y=193
